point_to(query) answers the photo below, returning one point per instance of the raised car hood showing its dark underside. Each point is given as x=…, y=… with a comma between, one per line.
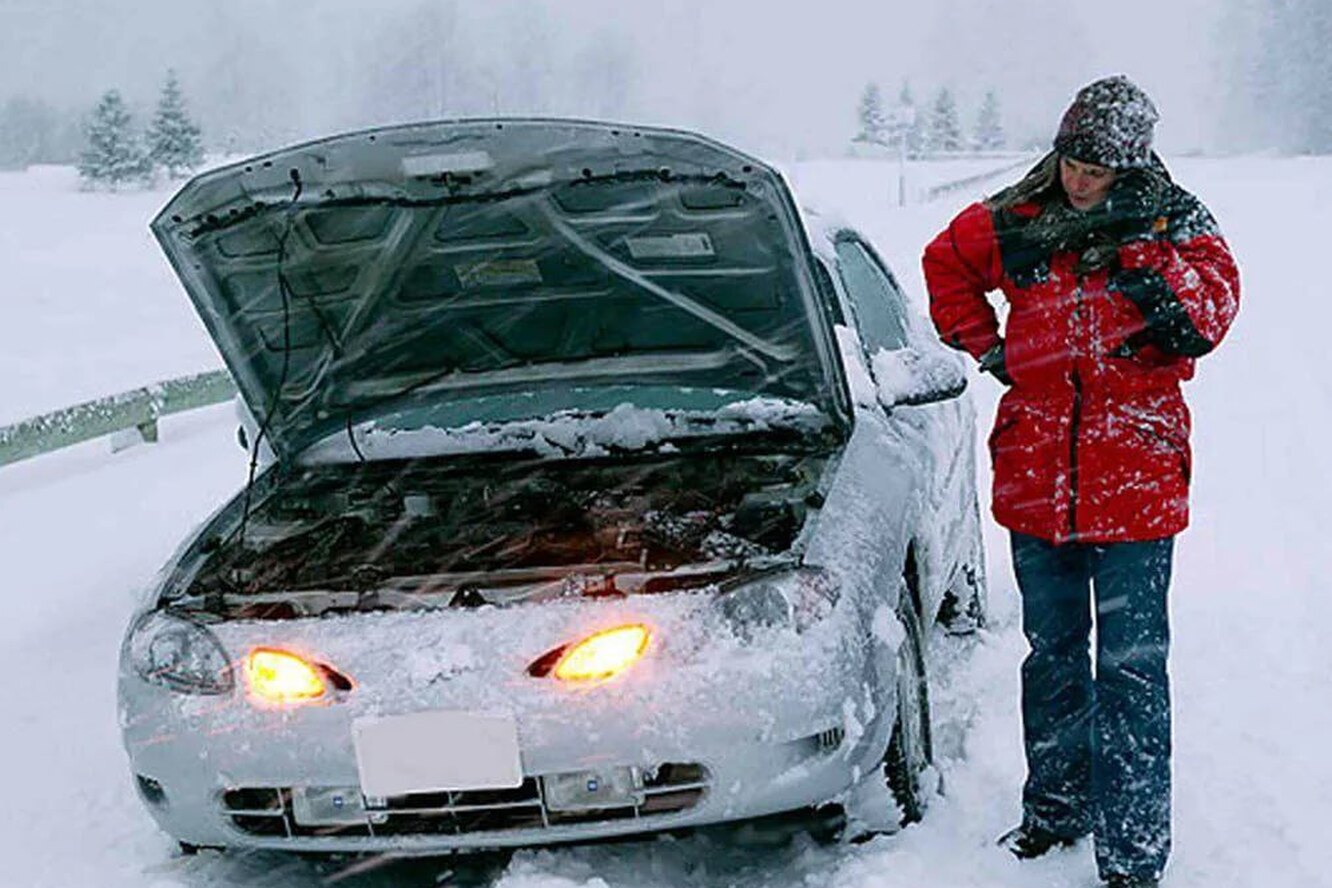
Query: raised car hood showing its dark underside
x=439, y=263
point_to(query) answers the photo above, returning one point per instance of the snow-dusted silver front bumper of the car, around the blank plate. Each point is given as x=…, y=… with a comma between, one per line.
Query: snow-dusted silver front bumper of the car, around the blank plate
x=700, y=740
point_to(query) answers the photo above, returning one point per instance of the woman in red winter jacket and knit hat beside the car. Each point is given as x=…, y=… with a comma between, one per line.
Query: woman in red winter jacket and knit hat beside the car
x=1117, y=280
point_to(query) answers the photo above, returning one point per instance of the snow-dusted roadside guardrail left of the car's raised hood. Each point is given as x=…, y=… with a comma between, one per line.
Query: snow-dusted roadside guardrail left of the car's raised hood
x=138, y=409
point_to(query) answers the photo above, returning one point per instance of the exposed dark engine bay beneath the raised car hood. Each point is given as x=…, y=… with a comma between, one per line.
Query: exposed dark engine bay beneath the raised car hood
x=431, y=533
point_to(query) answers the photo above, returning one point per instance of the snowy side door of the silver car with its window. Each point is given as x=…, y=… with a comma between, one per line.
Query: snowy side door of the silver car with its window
x=936, y=436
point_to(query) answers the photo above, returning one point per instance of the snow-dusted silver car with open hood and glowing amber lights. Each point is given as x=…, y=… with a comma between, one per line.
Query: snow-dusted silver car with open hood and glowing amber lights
x=596, y=491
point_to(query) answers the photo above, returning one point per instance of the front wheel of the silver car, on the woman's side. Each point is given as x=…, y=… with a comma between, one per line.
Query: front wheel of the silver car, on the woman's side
x=910, y=749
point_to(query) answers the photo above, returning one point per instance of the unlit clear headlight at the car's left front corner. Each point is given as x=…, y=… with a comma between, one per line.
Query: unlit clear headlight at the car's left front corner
x=179, y=654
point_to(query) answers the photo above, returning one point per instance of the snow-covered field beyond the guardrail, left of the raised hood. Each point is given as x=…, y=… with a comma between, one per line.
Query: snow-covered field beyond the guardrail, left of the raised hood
x=91, y=308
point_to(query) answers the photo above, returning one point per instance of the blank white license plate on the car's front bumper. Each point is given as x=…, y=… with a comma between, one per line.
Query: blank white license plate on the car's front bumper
x=438, y=750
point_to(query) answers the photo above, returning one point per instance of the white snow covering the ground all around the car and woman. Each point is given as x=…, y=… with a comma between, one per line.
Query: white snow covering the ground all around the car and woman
x=89, y=307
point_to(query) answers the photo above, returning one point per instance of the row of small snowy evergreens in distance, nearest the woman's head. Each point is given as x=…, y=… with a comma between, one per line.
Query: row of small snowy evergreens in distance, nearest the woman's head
x=928, y=131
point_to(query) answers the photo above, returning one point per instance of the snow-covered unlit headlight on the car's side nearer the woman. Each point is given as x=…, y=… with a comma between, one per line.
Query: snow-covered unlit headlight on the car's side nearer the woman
x=791, y=598
